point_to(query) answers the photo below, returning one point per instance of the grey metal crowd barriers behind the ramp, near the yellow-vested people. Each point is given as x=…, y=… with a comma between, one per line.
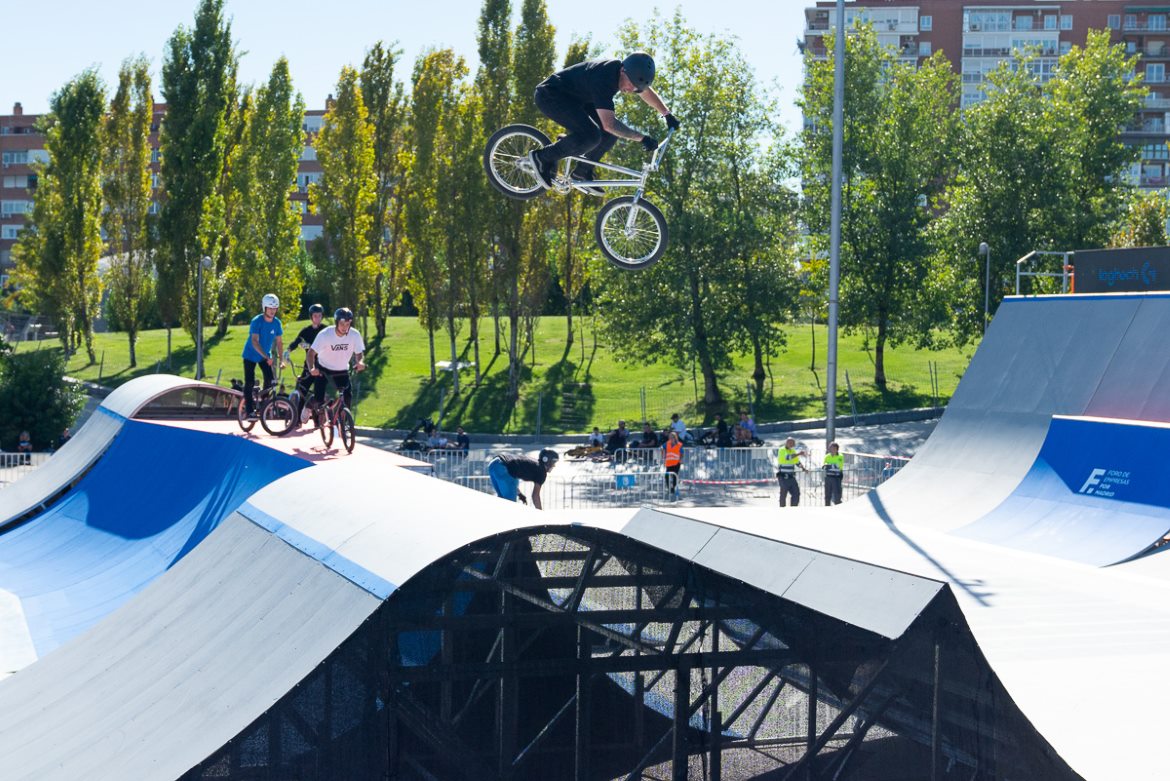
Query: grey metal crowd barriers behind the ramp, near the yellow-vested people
x=710, y=478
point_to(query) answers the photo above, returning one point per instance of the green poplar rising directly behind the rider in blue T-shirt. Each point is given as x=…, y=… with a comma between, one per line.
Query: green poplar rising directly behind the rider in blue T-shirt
x=272, y=146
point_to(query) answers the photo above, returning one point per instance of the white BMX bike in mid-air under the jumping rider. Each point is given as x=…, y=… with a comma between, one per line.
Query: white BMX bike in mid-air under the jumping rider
x=630, y=231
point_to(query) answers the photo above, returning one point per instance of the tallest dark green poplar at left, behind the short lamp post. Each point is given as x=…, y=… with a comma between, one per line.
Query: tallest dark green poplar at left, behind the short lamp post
x=199, y=87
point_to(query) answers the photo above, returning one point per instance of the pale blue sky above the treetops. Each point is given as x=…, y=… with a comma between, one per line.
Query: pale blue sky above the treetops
x=63, y=38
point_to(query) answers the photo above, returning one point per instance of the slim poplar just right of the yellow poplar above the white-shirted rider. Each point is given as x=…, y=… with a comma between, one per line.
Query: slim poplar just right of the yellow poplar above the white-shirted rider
x=387, y=107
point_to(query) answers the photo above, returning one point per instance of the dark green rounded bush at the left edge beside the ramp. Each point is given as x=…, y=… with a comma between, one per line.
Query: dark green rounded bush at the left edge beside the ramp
x=36, y=397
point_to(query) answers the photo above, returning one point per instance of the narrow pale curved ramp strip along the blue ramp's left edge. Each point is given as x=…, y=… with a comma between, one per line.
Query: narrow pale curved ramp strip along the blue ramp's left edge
x=88, y=445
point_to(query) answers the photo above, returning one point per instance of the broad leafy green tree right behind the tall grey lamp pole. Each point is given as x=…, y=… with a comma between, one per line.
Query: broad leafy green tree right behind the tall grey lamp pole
x=898, y=149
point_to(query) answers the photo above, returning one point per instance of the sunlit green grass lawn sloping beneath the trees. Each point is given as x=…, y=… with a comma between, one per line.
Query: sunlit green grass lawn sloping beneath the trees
x=568, y=389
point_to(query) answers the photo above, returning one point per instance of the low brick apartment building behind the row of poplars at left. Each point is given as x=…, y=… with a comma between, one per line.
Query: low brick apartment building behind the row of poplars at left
x=22, y=147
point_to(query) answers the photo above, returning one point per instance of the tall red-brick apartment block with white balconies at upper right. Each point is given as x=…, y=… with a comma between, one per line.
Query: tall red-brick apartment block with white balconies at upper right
x=978, y=37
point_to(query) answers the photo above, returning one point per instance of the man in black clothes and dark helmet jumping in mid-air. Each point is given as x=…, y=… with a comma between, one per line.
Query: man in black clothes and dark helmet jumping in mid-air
x=581, y=100
